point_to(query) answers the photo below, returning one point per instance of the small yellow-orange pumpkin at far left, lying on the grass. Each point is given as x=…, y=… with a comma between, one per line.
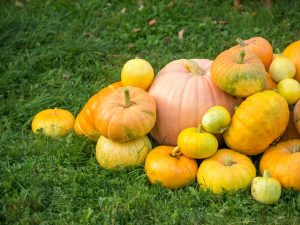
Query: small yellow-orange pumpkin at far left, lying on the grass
x=53, y=122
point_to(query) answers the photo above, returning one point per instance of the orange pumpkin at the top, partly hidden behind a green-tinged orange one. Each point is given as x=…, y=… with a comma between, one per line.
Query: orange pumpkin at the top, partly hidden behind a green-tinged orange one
x=258, y=46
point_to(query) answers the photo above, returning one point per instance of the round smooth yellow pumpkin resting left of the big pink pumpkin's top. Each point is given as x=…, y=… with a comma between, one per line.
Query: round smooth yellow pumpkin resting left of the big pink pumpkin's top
x=137, y=73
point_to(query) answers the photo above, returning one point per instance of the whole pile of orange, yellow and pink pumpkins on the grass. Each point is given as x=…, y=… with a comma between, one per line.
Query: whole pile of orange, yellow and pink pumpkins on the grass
x=211, y=113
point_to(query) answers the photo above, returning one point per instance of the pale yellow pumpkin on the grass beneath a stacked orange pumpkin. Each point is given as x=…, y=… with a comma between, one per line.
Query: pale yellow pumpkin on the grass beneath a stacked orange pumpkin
x=118, y=155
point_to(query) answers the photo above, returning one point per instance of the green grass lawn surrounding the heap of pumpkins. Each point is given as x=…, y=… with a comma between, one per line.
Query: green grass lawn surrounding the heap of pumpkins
x=58, y=53
